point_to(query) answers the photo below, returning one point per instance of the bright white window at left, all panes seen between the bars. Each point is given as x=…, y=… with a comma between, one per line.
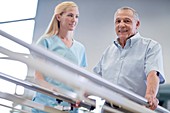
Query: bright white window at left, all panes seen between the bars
x=17, y=19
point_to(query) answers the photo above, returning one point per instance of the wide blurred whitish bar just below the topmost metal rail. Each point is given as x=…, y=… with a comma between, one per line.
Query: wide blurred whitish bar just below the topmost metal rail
x=64, y=75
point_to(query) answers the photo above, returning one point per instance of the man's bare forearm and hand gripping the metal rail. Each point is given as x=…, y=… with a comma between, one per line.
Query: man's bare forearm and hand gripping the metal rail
x=152, y=89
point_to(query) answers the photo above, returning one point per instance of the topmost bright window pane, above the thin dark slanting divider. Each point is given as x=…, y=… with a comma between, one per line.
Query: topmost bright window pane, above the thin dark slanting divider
x=12, y=10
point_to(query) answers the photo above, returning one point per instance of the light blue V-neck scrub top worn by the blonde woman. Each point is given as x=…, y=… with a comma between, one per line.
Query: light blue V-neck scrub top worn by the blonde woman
x=75, y=54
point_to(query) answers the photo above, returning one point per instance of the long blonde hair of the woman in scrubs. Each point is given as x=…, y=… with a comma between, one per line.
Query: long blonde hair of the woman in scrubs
x=53, y=27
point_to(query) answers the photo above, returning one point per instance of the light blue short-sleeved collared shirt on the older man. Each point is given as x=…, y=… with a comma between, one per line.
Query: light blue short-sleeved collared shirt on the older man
x=129, y=66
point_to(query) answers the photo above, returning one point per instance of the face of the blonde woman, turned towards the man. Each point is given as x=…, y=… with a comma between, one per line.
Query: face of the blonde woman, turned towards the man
x=69, y=19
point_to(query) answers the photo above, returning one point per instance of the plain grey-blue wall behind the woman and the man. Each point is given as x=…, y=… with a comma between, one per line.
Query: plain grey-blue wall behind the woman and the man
x=96, y=27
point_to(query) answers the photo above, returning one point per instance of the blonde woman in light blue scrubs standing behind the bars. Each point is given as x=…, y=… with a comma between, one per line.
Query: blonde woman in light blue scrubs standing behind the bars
x=59, y=39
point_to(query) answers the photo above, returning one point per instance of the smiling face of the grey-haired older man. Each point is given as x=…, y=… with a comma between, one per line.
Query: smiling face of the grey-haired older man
x=125, y=24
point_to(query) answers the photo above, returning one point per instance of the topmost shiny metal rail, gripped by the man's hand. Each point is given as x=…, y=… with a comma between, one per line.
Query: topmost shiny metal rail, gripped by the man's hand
x=82, y=72
